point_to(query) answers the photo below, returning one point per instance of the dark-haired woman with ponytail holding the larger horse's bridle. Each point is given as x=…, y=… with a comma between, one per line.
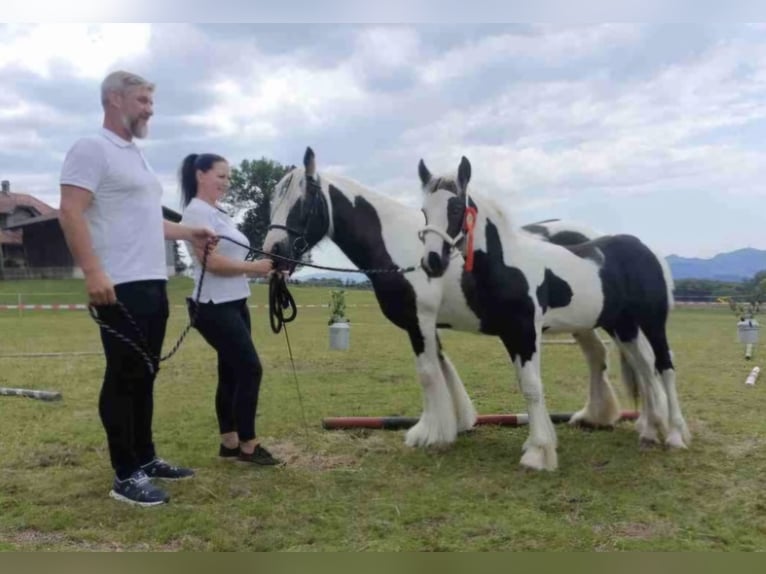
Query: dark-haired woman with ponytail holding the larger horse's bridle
x=223, y=317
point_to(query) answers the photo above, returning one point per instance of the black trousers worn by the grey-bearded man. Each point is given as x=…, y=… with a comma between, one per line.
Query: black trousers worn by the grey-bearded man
x=126, y=403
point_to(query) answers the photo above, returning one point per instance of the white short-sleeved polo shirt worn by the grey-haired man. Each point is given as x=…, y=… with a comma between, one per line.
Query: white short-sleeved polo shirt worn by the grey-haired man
x=125, y=217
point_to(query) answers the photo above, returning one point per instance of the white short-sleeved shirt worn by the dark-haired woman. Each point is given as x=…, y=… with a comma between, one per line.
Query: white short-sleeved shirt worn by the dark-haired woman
x=217, y=288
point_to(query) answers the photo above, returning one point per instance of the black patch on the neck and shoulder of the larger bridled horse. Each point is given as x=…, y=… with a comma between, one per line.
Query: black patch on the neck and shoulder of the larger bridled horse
x=358, y=233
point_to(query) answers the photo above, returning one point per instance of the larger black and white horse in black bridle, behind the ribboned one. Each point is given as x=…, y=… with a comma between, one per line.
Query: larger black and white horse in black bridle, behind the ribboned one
x=376, y=232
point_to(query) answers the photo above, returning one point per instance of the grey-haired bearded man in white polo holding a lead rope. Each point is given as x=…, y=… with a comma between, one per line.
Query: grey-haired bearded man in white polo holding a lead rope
x=111, y=215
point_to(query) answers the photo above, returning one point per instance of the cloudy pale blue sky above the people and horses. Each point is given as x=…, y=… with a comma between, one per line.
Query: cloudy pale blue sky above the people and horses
x=651, y=129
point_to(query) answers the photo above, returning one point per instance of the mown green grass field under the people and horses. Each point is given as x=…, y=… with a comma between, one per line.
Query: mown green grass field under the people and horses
x=364, y=490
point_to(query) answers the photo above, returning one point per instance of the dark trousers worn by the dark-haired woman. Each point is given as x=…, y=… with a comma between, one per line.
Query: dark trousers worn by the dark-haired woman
x=226, y=328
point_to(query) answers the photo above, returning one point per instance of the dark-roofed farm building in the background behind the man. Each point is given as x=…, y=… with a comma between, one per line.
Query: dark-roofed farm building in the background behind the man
x=32, y=244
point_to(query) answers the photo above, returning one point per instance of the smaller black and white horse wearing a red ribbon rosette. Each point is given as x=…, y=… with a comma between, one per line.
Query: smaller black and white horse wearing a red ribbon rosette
x=519, y=286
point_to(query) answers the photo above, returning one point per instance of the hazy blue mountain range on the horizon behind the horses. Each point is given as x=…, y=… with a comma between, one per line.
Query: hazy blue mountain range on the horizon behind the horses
x=734, y=266
